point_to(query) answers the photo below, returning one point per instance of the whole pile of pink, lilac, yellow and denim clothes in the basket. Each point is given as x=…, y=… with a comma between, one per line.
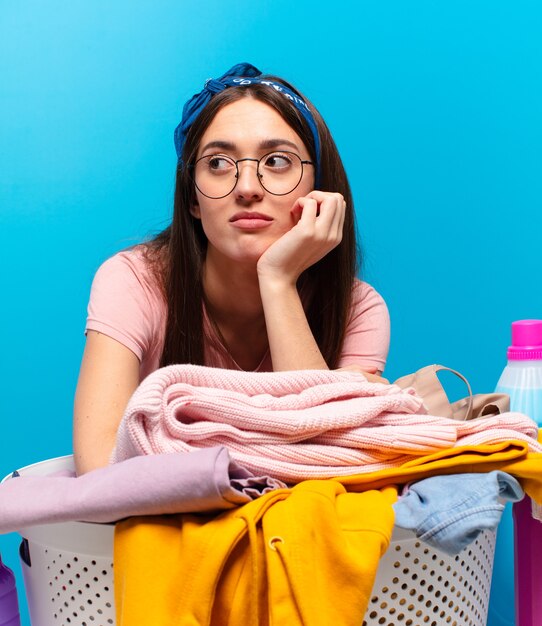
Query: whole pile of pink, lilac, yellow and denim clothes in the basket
x=234, y=468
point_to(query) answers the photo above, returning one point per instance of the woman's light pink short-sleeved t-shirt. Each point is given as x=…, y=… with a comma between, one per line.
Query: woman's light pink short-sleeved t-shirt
x=126, y=304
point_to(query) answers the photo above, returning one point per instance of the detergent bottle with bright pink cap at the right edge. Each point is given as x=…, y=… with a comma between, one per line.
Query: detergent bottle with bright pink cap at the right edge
x=522, y=380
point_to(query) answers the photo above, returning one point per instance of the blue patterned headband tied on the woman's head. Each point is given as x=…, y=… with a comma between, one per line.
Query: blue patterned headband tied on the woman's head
x=241, y=74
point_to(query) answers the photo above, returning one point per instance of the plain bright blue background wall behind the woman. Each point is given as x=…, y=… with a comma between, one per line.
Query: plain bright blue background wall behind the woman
x=435, y=107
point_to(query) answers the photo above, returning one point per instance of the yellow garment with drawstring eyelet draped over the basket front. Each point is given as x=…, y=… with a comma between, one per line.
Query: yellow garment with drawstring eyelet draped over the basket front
x=305, y=556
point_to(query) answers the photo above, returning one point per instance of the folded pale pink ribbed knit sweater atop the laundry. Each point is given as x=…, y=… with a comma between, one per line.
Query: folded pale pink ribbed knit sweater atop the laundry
x=297, y=425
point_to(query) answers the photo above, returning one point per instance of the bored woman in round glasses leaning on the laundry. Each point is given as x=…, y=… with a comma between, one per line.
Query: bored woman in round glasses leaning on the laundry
x=256, y=272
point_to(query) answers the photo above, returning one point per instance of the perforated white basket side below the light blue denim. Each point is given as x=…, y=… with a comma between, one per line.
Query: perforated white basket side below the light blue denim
x=417, y=585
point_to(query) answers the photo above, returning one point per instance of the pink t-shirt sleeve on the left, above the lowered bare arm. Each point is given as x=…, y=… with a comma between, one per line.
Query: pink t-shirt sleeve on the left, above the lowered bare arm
x=123, y=302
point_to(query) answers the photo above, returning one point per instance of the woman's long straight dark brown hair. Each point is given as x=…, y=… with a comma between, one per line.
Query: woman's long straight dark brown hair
x=176, y=255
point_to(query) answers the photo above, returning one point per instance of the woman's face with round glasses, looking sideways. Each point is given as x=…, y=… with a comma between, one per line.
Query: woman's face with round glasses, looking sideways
x=242, y=225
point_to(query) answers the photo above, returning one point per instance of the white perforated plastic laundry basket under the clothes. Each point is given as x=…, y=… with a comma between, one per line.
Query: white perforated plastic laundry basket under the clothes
x=68, y=574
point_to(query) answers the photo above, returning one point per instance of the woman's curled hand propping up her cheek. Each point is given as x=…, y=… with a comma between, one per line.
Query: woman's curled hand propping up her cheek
x=319, y=224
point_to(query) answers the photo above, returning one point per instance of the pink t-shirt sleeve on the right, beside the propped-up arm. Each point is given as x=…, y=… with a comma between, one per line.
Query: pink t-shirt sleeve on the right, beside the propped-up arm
x=367, y=337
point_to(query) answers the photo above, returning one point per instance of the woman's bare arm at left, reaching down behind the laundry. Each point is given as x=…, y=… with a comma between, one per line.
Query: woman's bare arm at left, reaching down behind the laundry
x=108, y=377
